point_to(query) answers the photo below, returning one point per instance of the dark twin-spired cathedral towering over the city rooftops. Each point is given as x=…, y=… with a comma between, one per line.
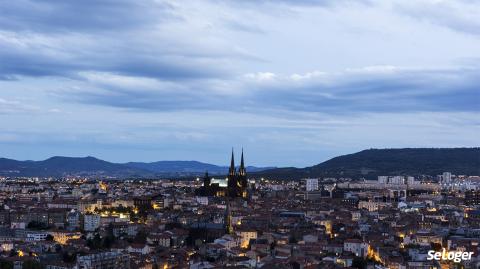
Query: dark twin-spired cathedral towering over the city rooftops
x=236, y=183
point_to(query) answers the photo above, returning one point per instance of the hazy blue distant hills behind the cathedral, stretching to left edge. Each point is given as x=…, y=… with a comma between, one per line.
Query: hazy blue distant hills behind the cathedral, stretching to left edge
x=90, y=166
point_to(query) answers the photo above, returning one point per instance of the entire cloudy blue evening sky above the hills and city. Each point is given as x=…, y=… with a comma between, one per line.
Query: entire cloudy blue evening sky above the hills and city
x=293, y=82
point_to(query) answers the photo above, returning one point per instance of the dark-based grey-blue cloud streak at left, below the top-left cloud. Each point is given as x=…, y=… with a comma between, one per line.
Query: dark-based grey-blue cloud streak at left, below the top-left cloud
x=42, y=58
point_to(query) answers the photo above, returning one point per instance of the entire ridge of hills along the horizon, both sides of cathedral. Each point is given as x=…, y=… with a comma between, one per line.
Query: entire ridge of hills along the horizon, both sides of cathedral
x=363, y=164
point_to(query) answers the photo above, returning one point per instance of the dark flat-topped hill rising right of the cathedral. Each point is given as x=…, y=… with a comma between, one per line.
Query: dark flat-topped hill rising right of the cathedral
x=374, y=162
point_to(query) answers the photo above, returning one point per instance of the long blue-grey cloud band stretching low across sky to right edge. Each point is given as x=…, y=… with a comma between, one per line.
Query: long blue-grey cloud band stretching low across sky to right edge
x=348, y=93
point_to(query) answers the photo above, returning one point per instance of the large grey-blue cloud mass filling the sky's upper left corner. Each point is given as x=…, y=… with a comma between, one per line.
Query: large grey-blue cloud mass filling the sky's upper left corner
x=62, y=38
